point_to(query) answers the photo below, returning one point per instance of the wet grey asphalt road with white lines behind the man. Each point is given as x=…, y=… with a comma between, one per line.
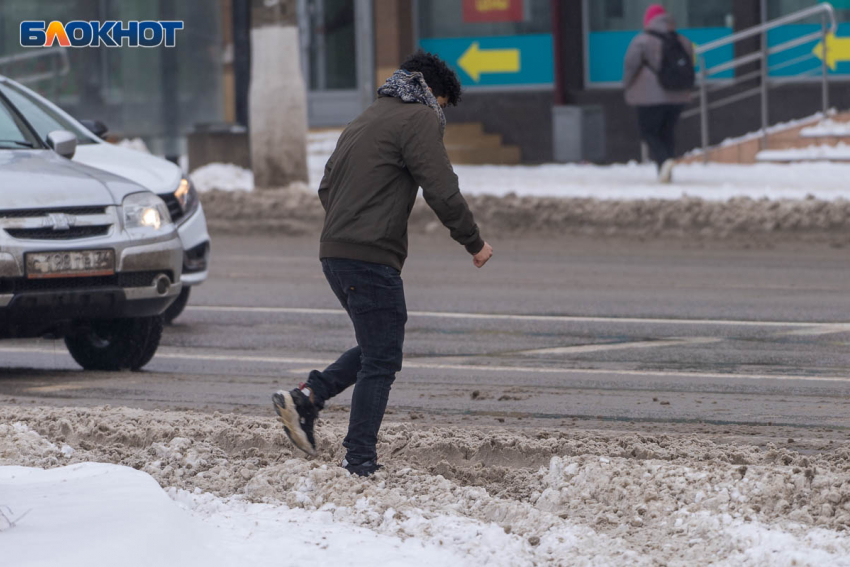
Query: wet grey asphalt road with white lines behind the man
x=565, y=332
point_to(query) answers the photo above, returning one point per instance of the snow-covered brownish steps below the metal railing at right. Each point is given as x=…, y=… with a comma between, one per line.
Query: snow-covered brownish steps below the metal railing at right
x=812, y=139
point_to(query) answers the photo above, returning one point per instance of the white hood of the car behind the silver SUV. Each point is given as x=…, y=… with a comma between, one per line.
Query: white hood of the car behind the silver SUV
x=152, y=173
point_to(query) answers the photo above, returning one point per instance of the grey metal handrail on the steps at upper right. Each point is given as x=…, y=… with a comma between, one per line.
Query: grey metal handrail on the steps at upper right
x=829, y=25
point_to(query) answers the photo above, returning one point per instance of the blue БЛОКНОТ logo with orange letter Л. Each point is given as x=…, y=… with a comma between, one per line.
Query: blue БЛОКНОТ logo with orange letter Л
x=110, y=33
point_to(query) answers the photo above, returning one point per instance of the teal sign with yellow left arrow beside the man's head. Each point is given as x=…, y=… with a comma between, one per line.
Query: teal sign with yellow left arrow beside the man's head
x=502, y=61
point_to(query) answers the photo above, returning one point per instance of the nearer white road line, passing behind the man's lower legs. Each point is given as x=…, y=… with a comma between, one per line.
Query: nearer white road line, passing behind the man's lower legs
x=413, y=364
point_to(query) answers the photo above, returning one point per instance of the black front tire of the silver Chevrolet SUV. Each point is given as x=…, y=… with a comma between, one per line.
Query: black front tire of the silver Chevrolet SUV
x=116, y=344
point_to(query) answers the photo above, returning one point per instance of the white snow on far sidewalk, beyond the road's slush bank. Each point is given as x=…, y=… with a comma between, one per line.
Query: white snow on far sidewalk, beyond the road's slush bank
x=713, y=182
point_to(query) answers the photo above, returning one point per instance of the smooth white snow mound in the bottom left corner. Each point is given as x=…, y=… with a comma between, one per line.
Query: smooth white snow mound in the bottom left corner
x=96, y=514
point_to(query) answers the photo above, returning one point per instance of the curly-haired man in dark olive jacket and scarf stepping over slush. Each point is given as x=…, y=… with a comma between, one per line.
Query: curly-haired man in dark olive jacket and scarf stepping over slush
x=368, y=190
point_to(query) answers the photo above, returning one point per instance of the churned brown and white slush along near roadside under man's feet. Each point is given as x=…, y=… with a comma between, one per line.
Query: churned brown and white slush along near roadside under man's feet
x=485, y=496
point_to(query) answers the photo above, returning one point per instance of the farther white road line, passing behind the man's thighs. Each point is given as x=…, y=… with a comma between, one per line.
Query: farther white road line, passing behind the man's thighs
x=502, y=317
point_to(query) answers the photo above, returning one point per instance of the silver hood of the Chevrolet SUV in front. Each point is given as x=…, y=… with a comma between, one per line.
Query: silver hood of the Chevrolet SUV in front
x=34, y=179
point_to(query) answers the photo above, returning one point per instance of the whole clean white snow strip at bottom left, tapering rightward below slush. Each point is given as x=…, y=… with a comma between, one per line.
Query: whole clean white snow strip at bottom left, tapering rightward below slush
x=94, y=513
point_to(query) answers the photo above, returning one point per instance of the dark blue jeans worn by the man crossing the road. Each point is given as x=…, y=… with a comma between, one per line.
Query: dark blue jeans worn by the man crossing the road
x=373, y=297
